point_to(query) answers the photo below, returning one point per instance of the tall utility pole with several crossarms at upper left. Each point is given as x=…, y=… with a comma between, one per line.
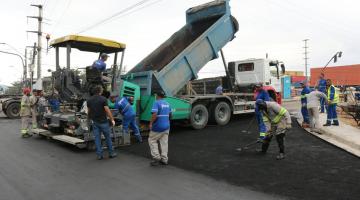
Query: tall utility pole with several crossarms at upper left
x=39, y=32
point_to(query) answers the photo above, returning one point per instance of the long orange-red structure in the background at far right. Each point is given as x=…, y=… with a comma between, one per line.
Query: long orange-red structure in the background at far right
x=340, y=75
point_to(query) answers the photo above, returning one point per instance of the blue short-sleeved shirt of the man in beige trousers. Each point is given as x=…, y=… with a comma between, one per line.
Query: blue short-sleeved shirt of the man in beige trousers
x=162, y=110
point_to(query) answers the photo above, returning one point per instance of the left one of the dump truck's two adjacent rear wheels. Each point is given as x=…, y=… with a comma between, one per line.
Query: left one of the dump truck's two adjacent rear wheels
x=199, y=116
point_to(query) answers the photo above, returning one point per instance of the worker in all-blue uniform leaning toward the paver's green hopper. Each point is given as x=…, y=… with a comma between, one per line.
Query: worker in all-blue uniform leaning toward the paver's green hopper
x=129, y=116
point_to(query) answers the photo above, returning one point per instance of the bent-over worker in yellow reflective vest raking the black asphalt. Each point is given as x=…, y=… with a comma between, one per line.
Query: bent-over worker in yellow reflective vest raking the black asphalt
x=278, y=121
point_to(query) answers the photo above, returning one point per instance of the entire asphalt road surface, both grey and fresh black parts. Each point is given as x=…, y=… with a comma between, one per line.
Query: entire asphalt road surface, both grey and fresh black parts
x=203, y=165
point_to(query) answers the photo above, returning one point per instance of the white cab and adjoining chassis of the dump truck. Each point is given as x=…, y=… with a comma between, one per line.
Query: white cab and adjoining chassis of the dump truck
x=241, y=77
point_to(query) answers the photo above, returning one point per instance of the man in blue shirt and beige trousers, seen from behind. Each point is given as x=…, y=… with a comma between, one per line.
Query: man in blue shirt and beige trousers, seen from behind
x=159, y=130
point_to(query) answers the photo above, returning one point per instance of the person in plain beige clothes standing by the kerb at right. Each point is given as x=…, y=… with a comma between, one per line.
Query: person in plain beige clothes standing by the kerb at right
x=313, y=103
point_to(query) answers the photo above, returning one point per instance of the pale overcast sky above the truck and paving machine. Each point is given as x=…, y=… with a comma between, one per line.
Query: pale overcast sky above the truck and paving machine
x=276, y=27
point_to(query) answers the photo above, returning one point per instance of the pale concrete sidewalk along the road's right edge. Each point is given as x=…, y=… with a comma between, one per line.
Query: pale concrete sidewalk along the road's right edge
x=343, y=136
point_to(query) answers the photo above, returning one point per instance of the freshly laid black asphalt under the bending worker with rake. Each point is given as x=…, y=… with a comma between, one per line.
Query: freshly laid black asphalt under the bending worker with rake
x=313, y=169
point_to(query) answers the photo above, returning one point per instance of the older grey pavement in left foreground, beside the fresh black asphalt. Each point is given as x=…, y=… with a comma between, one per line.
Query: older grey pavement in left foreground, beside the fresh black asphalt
x=38, y=169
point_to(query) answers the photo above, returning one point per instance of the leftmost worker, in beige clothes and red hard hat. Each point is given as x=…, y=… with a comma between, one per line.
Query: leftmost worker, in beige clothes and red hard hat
x=25, y=113
